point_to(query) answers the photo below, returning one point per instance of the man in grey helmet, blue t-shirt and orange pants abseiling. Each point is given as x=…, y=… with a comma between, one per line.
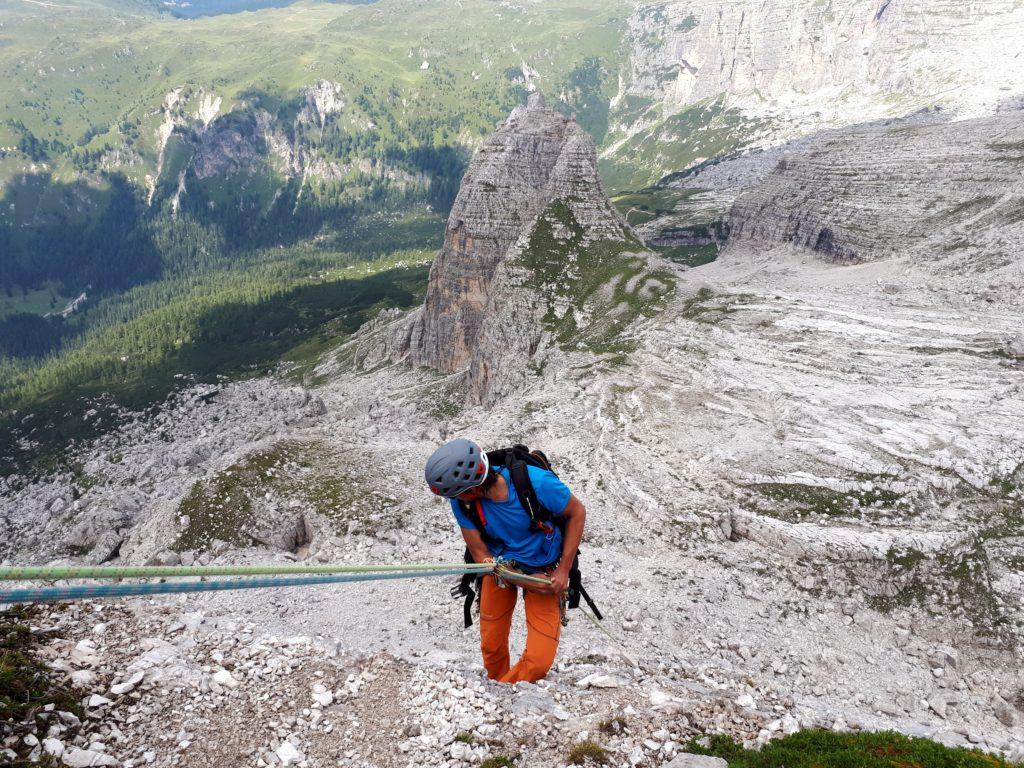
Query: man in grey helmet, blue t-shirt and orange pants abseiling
x=509, y=507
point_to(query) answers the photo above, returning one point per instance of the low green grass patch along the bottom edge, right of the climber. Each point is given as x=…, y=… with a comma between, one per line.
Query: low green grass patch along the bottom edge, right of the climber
x=821, y=749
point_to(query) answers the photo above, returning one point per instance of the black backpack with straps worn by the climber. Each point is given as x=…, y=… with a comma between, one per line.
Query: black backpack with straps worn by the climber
x=542, y=520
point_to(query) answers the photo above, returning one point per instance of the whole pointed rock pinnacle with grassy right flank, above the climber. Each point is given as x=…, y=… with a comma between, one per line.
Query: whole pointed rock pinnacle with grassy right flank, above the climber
x=534, y=254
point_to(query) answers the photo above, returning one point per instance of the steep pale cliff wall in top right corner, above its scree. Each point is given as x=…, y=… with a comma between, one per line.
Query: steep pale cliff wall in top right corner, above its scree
x=819, y=60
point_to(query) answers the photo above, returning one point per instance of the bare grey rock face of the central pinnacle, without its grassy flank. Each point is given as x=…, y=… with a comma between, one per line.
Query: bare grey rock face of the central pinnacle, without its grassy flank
x=535, y=157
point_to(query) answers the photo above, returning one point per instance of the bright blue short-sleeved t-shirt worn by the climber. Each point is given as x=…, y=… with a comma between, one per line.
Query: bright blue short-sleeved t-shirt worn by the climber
x=508, y=522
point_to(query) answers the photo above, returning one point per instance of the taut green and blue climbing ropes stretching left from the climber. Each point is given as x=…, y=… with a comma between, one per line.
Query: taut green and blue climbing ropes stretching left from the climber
x=295, y=576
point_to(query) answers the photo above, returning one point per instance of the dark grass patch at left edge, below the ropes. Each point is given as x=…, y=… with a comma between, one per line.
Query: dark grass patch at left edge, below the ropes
x=27, y=685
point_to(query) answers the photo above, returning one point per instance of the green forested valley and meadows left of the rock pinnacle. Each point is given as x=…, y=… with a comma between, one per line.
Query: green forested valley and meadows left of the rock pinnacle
x=170, y=187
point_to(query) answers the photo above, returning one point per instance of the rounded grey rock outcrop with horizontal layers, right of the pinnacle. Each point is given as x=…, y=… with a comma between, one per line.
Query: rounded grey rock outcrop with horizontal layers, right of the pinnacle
x=935, y=192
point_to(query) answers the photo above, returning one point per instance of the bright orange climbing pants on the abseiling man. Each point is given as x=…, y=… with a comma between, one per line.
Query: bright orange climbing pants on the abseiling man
x=544, y=624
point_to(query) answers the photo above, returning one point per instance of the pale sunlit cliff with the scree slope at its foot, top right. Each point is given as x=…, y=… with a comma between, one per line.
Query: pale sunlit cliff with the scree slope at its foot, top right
x=758, y=74
